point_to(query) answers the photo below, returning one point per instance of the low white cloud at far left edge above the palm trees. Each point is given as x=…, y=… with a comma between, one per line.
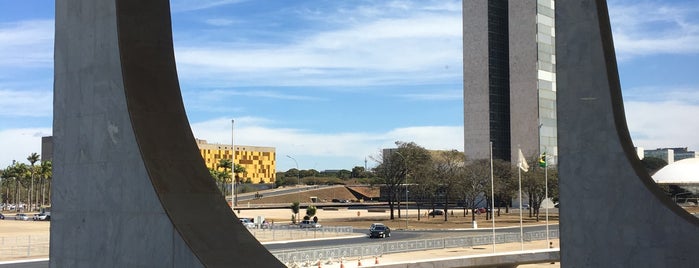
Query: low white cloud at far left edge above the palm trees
x=17, y=144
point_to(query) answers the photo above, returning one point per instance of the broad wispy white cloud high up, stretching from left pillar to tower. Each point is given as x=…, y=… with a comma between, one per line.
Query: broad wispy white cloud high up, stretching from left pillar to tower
x=407, y=50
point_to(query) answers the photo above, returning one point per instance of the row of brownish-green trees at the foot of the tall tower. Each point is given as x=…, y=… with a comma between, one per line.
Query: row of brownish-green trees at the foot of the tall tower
x=438, y=179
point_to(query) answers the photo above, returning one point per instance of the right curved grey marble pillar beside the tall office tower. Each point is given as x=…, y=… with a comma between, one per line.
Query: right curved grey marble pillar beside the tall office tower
x=613, y=214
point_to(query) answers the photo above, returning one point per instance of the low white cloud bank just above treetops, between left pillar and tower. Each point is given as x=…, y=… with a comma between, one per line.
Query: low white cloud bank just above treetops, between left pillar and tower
x=303, y=143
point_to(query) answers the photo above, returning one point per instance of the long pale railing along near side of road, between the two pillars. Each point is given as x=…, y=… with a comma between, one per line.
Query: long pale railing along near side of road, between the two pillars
x=377, y=249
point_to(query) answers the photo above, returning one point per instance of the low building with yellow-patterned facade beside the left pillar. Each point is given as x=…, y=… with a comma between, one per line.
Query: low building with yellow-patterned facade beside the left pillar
x=259, y=162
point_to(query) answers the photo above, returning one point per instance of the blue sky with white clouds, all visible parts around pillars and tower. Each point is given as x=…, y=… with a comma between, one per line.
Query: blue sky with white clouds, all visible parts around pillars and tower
x=329, y=83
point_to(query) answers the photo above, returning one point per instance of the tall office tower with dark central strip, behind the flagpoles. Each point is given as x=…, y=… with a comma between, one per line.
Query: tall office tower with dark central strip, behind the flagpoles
x=509, y=78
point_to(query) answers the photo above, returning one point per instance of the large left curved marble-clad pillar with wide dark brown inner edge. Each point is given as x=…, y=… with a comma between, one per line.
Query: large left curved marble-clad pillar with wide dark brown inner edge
x=130, y=187
